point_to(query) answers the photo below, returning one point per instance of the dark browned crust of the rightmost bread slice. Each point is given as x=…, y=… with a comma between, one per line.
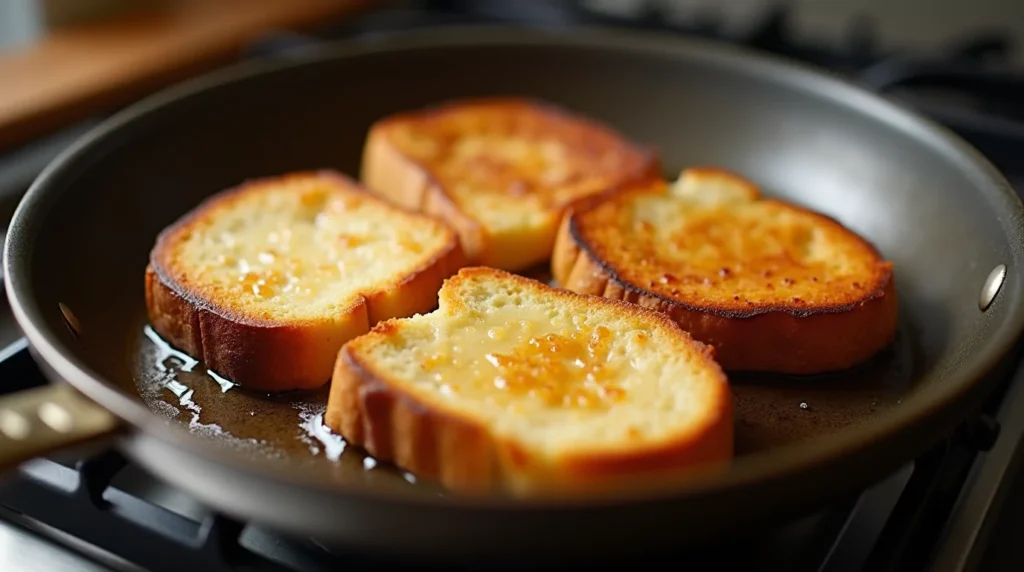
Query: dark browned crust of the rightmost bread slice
x=802, y=339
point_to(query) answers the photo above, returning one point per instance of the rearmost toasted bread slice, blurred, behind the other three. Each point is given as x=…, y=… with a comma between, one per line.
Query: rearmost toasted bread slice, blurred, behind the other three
x=500, y=171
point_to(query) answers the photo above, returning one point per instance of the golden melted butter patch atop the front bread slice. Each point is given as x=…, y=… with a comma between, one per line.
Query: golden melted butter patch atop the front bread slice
x=528, y=361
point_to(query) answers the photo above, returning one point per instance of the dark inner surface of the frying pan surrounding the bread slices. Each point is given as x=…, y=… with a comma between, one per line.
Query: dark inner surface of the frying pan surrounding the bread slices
x=881, y=179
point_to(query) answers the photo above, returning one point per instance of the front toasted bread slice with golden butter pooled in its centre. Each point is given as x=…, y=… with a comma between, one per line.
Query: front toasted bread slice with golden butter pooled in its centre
x=513, y=386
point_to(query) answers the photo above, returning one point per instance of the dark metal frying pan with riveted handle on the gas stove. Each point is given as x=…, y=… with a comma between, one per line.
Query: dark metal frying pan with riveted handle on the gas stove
x=80, y=240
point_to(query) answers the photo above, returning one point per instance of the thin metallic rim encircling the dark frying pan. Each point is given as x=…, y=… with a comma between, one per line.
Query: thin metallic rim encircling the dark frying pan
x=787, y=461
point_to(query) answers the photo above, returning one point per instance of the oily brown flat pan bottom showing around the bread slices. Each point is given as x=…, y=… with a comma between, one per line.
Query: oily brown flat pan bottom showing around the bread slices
x=772, y=411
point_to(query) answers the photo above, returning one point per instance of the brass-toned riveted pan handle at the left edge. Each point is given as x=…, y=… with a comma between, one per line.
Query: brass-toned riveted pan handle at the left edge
x=41, y=421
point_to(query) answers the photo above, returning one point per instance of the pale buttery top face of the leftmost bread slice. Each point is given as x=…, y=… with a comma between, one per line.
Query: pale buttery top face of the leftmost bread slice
x=303, y=244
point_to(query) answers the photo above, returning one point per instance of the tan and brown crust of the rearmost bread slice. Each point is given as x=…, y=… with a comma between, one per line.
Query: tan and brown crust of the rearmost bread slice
x=416, y=186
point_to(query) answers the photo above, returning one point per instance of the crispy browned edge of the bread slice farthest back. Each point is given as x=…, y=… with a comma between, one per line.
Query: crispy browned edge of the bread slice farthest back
x=390, y=172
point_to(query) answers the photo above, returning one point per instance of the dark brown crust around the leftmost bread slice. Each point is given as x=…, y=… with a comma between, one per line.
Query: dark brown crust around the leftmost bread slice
x=269, y=355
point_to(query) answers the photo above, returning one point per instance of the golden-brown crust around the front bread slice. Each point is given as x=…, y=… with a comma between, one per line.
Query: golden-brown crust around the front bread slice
x=374, y=412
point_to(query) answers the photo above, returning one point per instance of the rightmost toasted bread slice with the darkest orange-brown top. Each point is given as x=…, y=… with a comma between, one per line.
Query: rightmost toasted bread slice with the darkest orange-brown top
x=773, y=287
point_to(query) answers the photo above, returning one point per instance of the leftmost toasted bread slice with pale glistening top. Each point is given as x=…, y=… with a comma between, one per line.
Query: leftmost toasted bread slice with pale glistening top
x=267, y=282
